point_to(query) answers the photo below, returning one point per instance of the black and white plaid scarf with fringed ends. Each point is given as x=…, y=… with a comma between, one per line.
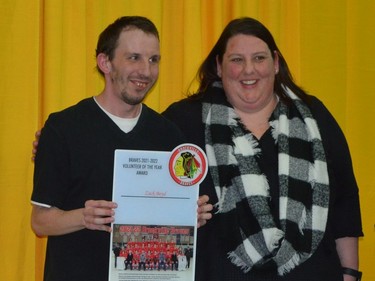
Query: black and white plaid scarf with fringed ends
x=243, y=189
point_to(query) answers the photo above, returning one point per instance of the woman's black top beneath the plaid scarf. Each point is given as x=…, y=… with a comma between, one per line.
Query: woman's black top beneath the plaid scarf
x=344, y=213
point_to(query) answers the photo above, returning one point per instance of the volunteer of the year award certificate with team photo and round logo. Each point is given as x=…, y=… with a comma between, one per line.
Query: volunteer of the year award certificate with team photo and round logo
x=154, y=233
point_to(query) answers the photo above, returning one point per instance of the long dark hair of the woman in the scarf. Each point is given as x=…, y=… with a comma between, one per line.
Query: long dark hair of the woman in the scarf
x=207, y=72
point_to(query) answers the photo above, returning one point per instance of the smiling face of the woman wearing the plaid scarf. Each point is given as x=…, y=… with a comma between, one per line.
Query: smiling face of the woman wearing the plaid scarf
x=248, y=73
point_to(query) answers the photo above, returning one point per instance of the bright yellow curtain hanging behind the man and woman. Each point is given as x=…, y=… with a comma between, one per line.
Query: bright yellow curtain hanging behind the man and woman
x=47, y=60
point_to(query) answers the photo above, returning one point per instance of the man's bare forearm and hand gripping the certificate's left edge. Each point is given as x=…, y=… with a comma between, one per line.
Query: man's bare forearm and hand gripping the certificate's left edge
x=53, y=221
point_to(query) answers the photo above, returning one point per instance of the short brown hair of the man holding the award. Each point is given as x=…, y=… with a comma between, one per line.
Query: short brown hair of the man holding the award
x=108, y=39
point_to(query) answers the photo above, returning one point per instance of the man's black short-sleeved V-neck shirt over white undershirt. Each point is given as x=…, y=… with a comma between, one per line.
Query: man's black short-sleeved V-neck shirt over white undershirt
x=74, y=163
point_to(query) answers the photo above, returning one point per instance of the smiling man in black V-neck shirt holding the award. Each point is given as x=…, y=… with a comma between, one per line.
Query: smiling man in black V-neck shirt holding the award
x=74, y=165
